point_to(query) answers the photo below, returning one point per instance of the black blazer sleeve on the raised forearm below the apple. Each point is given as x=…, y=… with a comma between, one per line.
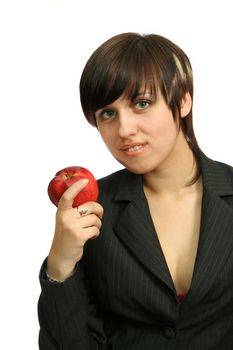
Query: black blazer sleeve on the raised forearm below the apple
x=68, y=315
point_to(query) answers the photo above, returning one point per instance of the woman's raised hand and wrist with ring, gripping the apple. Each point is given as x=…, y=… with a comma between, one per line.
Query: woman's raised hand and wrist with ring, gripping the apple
x=74, y=226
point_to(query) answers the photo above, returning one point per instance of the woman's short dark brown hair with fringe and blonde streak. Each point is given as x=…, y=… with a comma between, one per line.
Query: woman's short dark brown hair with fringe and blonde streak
x=128, y=63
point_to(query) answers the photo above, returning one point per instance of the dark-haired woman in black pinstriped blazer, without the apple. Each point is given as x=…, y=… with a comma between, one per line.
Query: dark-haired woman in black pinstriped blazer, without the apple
x=150, y=266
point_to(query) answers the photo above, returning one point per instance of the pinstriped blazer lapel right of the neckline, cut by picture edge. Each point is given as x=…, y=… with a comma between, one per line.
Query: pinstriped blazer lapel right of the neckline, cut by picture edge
x=216, y=233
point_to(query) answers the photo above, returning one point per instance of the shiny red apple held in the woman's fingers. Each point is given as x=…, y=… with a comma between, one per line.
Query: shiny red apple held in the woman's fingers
x=65, y=178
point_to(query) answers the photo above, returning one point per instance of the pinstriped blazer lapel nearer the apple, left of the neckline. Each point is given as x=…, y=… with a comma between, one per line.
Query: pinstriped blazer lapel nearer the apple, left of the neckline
x=135, y=228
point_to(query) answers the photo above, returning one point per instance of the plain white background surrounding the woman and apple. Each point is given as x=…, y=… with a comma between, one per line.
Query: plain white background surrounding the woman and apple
x=44, y=45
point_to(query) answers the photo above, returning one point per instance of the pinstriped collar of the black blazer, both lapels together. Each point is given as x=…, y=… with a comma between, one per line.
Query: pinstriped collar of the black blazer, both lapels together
x=135, y=228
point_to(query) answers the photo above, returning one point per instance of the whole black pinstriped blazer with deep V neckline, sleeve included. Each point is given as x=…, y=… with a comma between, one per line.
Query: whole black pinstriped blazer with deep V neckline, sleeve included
x=122, y=296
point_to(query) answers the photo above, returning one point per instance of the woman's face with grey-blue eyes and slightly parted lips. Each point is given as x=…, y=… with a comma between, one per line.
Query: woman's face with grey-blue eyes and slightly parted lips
x=141, y=133
